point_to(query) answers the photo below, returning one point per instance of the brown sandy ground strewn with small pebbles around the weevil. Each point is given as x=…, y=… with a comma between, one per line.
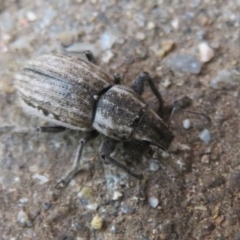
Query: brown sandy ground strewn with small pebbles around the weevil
x=126, y=37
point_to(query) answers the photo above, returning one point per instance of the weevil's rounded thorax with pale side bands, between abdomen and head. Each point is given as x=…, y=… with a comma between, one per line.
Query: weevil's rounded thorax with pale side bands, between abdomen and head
x=118, y=112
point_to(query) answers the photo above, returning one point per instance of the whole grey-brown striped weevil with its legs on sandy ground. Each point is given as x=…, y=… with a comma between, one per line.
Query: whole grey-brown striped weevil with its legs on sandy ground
x=77, y=94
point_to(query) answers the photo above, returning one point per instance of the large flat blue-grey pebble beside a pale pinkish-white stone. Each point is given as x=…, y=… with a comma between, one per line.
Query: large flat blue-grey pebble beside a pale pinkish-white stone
x=184, y=63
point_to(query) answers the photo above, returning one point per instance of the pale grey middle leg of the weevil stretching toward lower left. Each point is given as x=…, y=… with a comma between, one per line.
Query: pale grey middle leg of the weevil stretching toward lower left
x=76, y=167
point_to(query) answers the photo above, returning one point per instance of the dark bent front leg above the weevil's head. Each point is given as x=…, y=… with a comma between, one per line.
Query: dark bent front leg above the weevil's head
x=138, y=87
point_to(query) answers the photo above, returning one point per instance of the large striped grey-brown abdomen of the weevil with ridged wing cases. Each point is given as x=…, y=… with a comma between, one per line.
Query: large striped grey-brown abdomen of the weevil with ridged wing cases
x=62, y=89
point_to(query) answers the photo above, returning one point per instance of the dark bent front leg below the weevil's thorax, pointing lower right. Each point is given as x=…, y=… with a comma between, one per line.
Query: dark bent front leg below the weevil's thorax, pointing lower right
x=107, y=148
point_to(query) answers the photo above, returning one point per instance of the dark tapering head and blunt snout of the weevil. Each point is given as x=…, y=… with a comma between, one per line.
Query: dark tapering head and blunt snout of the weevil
x=152, y=129
